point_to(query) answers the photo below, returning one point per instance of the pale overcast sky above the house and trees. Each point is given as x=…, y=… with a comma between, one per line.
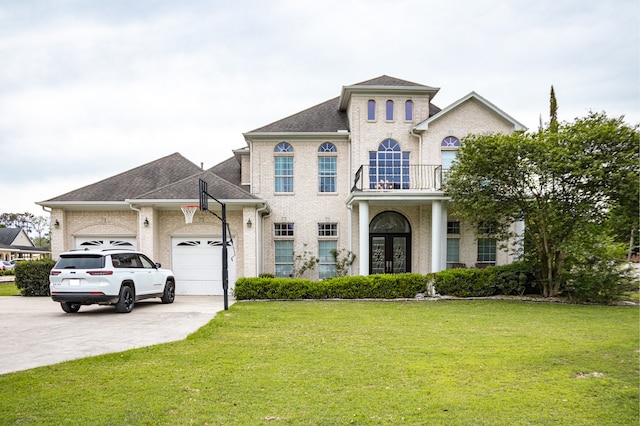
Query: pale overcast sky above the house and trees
x=89, y=89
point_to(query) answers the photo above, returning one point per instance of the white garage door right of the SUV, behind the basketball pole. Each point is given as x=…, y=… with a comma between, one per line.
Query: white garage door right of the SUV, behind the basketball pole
x=197, y=265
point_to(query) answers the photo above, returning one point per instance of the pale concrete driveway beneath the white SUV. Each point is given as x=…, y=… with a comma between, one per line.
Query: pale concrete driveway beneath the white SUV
x=35, y=331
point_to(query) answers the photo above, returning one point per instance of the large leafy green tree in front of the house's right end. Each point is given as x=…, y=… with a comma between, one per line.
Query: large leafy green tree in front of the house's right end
x=560, y=181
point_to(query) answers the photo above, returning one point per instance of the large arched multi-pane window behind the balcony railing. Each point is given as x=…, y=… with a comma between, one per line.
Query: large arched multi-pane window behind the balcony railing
x=389, y=166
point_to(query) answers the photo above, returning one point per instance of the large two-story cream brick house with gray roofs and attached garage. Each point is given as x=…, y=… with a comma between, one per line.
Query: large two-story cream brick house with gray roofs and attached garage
x=359, y=173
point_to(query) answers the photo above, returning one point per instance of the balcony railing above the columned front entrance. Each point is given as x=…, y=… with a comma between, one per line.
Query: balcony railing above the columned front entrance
x=417, y=177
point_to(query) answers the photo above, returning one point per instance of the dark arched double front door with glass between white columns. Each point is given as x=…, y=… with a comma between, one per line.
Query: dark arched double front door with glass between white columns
x=389, y=244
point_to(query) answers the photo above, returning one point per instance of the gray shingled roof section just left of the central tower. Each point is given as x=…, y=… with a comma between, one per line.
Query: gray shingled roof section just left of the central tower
x=324, y=117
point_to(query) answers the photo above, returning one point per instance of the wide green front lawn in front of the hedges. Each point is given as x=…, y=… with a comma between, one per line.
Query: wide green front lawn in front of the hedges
x=481, y=362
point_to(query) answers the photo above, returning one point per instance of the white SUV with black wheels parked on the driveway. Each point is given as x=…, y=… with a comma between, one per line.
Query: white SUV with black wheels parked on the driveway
x=108, y=277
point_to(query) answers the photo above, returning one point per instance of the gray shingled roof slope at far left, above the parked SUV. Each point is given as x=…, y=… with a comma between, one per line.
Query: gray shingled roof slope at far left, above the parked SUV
x=130, y=184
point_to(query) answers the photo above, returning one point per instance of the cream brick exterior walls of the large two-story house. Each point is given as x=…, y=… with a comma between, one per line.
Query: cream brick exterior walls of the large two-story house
x=153, y=223
